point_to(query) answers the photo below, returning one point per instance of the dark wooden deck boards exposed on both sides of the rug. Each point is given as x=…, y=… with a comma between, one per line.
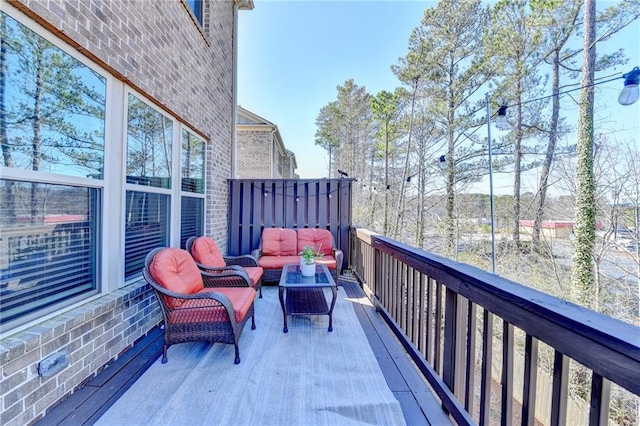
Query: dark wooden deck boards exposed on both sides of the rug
x=418, y=404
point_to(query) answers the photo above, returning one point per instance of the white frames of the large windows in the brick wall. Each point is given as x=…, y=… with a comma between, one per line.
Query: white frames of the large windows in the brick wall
x=113, y=186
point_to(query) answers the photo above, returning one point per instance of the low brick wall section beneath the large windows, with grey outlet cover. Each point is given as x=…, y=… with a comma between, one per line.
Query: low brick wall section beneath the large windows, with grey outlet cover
x=93, y=334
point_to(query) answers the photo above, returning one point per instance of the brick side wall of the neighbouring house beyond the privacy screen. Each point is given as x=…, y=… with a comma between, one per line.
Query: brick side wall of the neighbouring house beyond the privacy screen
x=254, y=154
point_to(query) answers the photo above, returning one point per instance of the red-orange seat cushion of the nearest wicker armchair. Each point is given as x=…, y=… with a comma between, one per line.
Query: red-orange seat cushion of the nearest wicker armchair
x=201, y=311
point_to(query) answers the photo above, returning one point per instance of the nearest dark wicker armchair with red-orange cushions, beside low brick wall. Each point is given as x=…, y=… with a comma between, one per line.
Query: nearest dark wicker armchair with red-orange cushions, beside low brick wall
x=194, y=307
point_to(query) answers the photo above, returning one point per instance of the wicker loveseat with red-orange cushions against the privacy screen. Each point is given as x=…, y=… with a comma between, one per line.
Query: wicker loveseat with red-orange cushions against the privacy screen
x=281, y=246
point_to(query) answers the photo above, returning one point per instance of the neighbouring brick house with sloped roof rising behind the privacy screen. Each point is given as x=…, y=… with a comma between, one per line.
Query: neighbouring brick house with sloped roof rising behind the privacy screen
x=261, y=151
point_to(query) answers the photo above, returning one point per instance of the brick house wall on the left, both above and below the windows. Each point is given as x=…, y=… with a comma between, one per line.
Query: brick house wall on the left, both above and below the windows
x=155, y=48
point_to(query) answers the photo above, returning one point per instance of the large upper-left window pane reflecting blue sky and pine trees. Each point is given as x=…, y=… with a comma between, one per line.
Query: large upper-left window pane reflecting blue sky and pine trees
x=54, y=107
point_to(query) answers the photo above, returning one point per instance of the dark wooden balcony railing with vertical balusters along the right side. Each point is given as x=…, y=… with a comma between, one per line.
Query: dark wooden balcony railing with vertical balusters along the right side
x=481, y=341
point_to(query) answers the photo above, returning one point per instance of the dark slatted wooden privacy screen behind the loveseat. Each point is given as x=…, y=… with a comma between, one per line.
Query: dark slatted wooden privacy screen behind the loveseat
x=255, y=204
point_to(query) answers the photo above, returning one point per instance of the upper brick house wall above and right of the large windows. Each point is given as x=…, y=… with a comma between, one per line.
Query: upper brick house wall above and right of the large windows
x=155, y=47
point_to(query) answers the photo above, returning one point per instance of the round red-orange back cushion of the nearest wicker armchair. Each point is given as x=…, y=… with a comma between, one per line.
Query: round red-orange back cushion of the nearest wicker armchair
x=175, y=270
